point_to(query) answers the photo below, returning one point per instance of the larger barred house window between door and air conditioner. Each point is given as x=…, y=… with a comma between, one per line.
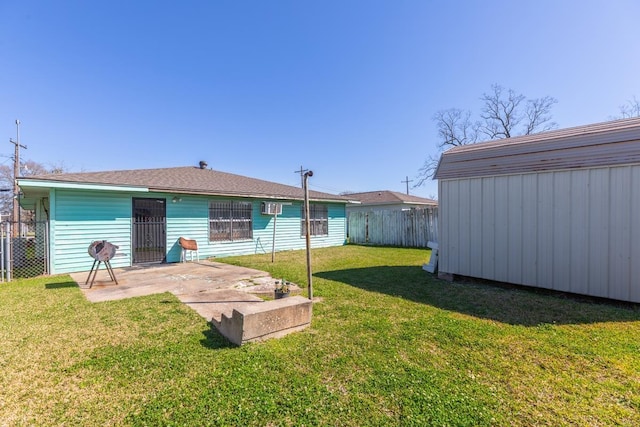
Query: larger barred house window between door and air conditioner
x=229, y=221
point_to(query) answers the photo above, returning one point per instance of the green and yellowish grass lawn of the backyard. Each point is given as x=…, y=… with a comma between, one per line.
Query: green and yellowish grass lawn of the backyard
x=389, y=345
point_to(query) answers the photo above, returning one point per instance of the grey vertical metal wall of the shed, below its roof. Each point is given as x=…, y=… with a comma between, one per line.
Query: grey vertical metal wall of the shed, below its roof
x=575, y=231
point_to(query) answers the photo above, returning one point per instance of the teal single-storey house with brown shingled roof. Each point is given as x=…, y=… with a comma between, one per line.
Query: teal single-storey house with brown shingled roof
x=145, y=213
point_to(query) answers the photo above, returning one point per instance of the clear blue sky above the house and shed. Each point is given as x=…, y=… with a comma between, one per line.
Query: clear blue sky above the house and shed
x=259, y=88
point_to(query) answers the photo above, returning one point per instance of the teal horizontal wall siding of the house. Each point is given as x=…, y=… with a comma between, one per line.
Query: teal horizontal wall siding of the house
x=80, y=217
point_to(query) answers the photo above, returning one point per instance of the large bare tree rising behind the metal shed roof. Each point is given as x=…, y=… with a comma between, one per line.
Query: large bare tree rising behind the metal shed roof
x=505, y=113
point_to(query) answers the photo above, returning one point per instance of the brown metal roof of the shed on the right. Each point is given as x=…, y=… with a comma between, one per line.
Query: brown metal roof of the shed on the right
x=609, y=143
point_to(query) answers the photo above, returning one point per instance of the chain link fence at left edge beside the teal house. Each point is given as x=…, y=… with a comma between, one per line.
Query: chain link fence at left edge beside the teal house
x=24, y=249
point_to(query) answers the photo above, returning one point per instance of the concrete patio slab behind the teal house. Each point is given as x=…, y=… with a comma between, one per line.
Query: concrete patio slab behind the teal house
x=210, y=288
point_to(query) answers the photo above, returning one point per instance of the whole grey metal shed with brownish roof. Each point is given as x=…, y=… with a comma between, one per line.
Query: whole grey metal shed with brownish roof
x=558, y=210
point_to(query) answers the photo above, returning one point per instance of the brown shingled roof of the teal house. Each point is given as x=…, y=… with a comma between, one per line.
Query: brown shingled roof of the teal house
x=186, y=180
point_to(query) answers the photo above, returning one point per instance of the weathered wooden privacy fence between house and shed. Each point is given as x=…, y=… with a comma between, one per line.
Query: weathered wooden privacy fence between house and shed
x=411, y=228
